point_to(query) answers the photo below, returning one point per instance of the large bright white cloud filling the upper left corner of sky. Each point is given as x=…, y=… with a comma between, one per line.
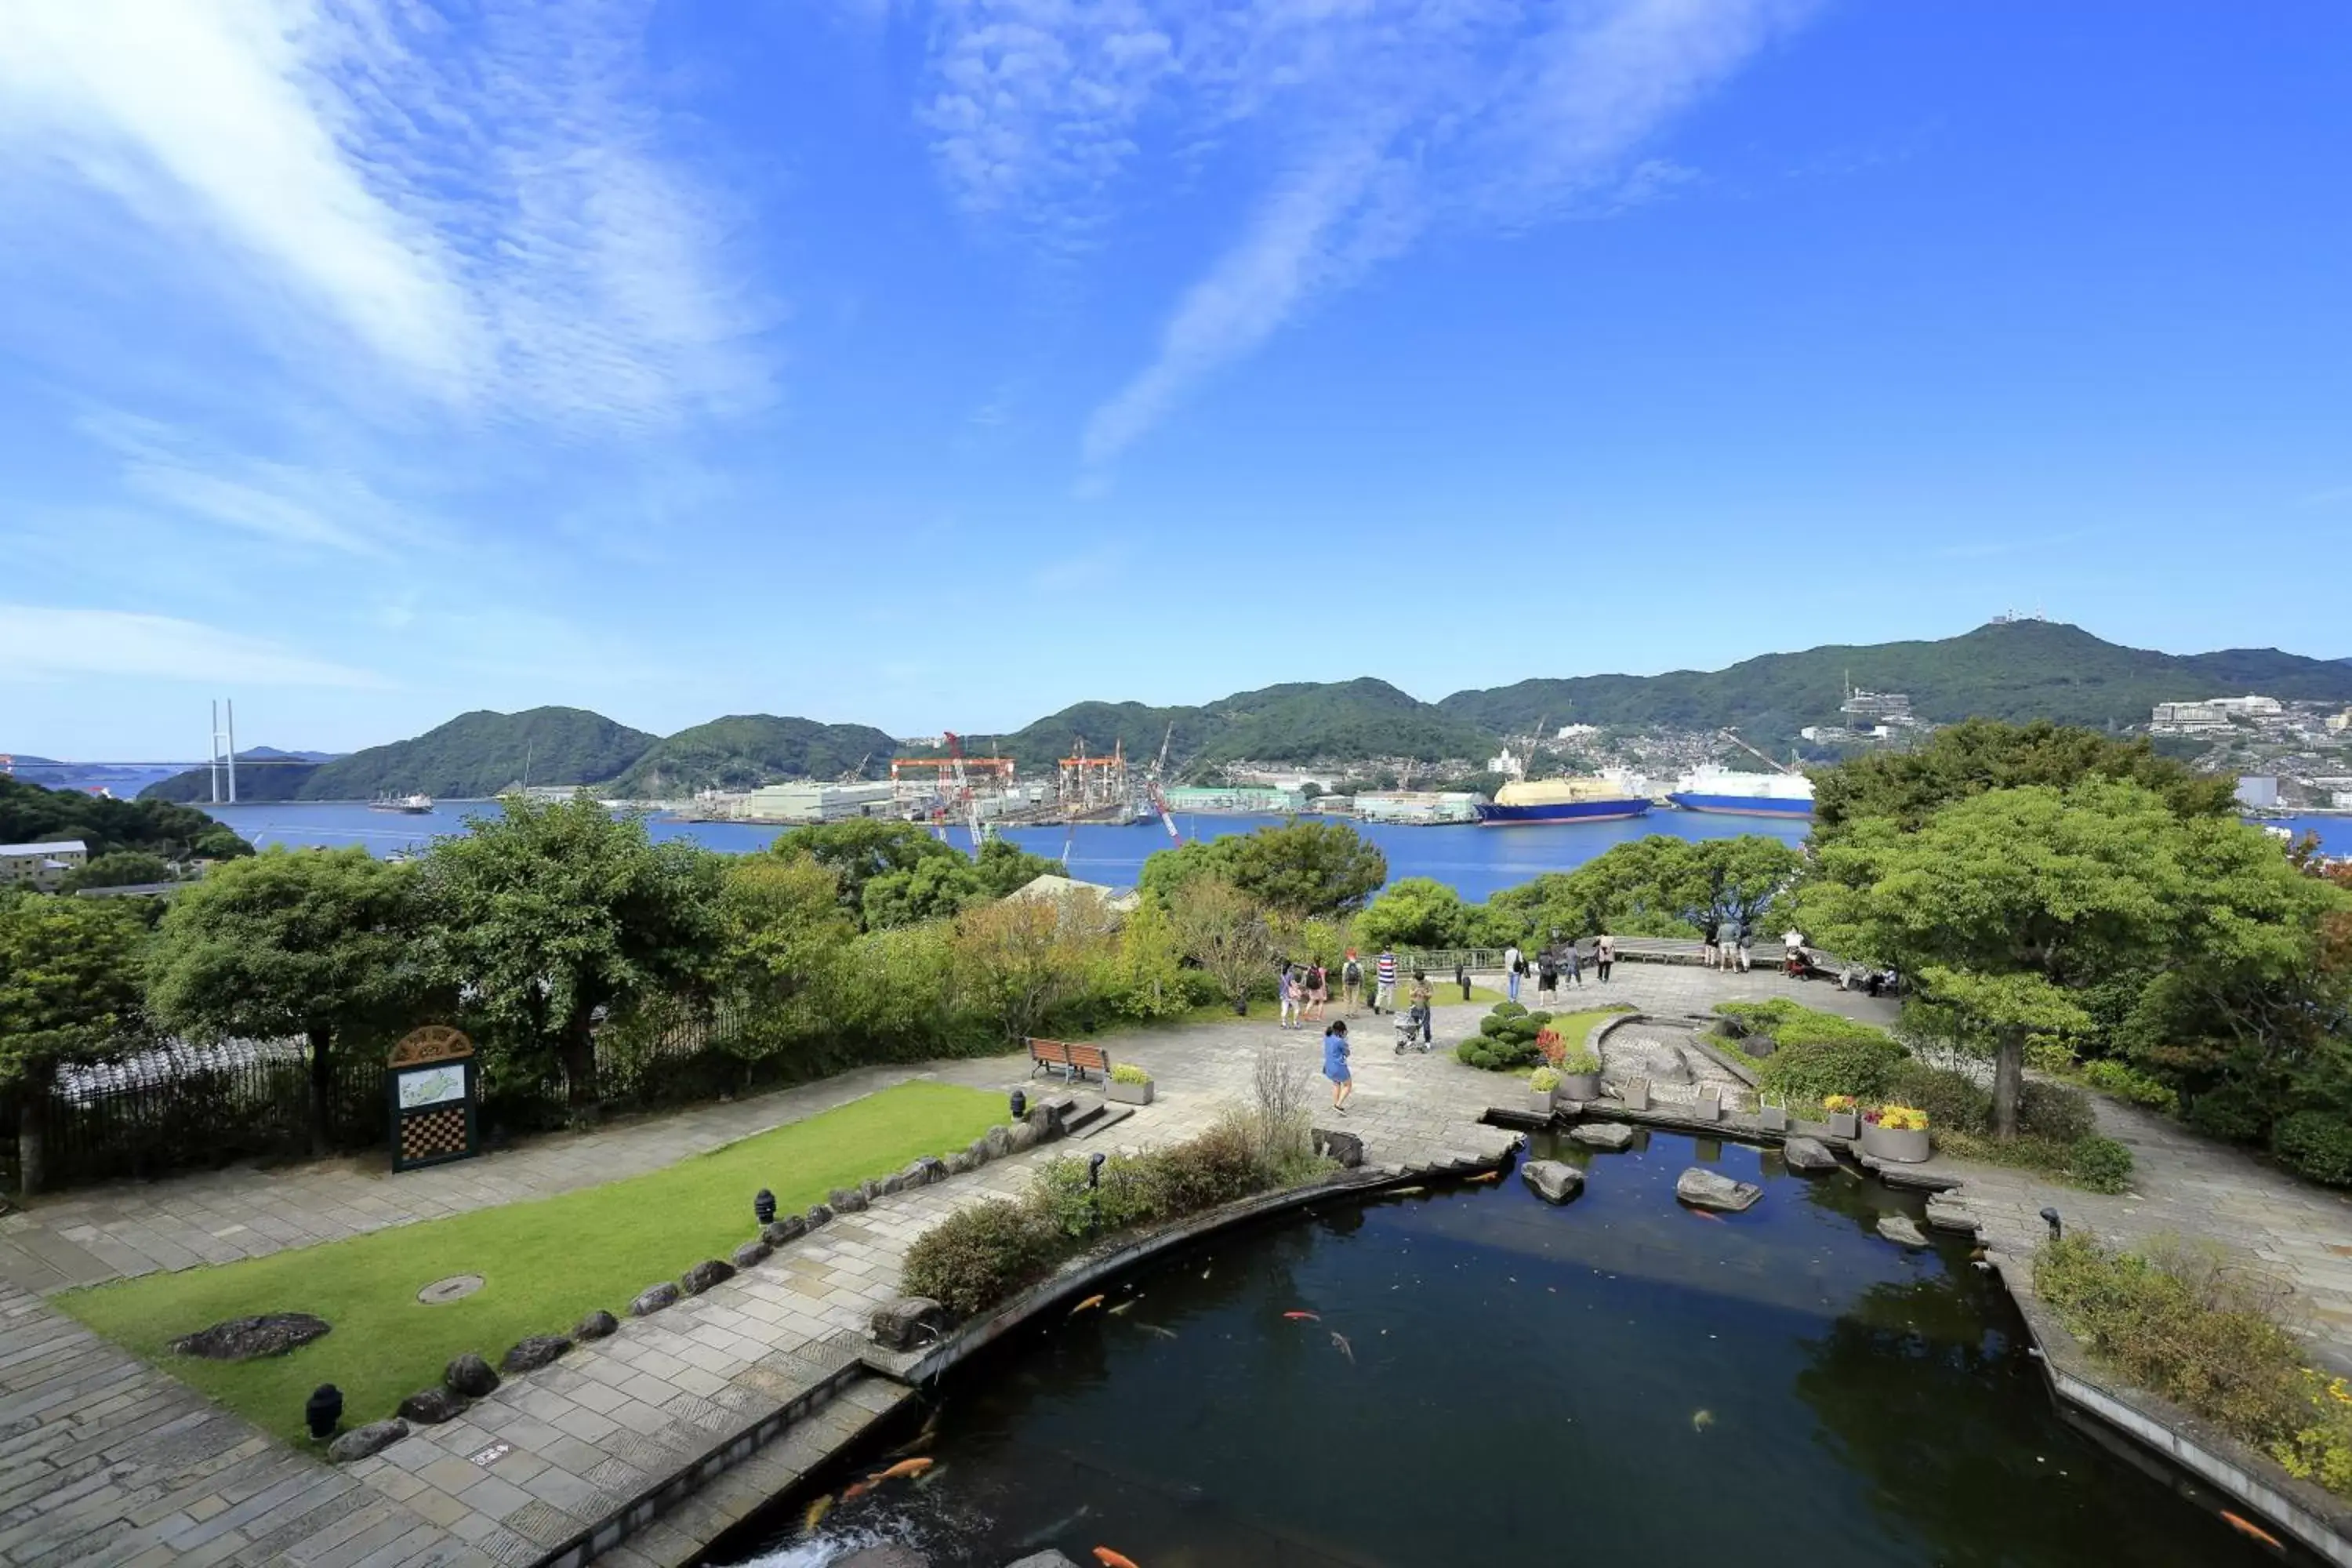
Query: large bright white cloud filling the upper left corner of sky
x=483, y=213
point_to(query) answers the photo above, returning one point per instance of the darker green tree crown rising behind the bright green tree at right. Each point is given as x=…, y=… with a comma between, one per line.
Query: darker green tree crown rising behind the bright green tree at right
x=1986, y=756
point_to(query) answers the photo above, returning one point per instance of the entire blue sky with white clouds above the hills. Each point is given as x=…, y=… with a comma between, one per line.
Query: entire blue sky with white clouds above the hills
x=937, y=366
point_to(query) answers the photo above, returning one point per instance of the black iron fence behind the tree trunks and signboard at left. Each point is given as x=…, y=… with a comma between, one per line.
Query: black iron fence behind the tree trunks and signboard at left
x=182, y=1106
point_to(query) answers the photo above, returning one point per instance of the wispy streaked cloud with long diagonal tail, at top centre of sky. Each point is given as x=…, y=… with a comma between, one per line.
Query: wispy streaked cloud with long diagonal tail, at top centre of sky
x=1377, y=119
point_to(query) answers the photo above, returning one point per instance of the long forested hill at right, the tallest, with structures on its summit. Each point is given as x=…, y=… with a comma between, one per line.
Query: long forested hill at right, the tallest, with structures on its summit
x=2012, y=671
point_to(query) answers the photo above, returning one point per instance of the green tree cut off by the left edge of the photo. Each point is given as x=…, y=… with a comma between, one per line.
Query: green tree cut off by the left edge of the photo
x=69, y=993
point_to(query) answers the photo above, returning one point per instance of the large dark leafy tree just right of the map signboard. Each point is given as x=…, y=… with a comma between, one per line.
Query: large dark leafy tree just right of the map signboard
x=552, y=916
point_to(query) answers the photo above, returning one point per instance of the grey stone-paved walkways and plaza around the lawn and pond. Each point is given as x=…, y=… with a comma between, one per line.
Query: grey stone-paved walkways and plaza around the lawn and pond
x=105, y=1463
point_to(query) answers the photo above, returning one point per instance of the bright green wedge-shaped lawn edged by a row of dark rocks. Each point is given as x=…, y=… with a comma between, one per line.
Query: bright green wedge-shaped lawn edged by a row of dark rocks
x=544, y=1264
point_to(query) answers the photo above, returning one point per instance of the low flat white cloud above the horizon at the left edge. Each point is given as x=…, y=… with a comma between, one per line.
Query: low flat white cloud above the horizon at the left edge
x=48, y=643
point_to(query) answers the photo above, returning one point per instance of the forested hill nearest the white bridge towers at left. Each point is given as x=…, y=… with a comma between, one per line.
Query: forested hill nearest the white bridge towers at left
x=469, y=758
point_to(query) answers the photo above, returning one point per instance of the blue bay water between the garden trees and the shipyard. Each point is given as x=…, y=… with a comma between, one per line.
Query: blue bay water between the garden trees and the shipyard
x=1474, y=862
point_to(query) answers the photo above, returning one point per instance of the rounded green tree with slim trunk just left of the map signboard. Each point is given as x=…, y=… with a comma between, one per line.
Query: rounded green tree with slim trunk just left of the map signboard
x=288, y=944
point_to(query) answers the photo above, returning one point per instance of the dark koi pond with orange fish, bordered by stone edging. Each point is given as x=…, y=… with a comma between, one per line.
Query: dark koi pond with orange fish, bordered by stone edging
x=1488, y=1379
